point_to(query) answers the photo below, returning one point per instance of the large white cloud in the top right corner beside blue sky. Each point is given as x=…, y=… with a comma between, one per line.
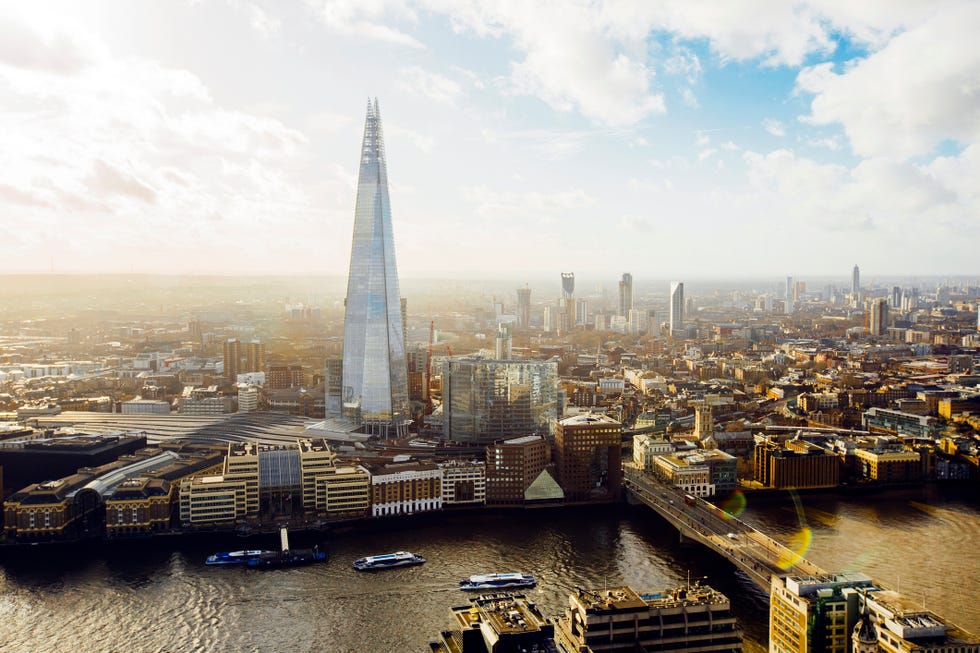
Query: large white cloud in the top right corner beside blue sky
x=917, y=91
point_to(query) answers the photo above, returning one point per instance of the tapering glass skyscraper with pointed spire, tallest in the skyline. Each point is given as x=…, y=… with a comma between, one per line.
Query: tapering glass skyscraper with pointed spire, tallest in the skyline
x=375, y=376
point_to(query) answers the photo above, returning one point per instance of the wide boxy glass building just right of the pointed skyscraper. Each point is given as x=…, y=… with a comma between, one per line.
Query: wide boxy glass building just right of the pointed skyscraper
x=488, y=400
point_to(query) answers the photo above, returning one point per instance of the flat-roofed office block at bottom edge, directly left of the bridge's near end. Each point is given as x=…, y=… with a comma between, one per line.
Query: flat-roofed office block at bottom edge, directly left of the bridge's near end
x=618, y=619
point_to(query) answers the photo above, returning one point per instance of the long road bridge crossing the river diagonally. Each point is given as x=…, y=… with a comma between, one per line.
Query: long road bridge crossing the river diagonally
x=752, y=551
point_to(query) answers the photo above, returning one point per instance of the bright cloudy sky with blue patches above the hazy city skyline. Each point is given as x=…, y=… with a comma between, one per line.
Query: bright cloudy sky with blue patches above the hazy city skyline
x=669, y=139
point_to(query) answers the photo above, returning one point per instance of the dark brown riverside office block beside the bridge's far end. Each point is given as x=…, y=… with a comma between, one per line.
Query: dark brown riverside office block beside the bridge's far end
x=588, y=454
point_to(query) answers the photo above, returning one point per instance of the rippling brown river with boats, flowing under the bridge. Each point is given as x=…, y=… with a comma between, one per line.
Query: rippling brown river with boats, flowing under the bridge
x=161, y=597
